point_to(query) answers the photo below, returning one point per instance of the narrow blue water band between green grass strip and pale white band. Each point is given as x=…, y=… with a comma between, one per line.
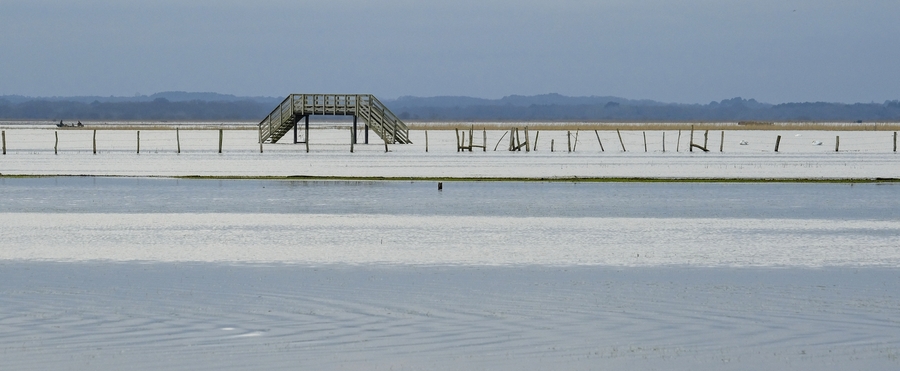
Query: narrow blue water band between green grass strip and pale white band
x=869, y=201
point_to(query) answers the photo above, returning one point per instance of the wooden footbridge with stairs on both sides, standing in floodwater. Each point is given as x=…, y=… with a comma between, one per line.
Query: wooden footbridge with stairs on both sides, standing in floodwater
x=297, y=107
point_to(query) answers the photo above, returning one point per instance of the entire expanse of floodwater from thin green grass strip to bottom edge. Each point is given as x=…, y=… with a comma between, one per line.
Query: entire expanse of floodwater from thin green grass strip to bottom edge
x=150, y=273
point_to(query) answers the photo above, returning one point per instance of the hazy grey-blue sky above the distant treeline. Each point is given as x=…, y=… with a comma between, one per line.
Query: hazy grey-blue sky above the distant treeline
x=687, y=51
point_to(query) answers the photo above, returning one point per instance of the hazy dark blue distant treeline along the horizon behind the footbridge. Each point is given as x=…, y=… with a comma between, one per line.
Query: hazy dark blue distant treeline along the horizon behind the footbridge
x=549, y=107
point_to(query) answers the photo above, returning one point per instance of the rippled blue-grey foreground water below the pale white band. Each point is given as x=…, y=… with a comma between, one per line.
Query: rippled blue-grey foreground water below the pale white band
x=223, y=317
